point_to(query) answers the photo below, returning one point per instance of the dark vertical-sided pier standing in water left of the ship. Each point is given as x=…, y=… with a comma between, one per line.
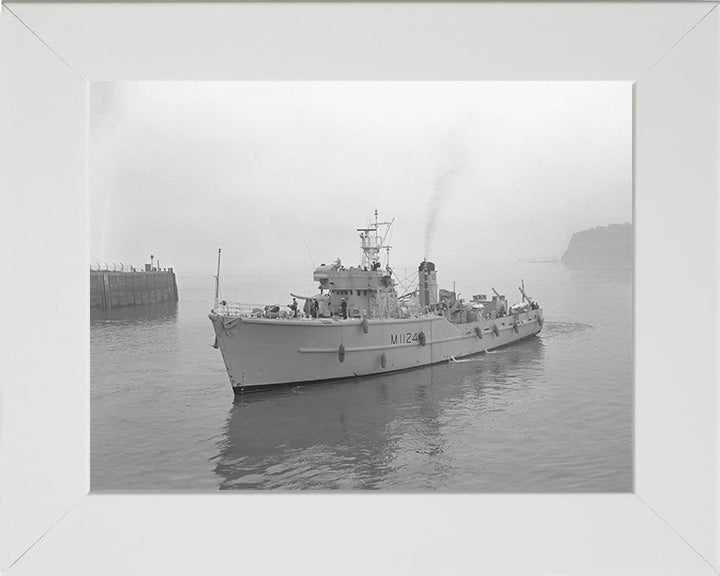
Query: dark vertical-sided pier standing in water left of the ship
x=112, y=289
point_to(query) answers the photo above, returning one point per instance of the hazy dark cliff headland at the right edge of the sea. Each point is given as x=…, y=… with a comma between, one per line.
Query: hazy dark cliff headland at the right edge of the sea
x=602, y=246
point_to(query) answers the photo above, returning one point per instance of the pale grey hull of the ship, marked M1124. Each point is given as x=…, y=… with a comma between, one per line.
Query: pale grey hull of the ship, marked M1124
x=260, y=352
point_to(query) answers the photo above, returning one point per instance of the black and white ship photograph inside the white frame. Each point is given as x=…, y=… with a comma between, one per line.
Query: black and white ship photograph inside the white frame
x=334, y=286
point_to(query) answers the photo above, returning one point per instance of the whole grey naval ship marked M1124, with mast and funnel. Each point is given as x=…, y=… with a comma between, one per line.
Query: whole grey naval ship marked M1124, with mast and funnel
x=357, y=325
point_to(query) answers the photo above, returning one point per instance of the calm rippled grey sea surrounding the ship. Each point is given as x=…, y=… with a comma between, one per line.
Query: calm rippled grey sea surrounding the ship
x=550, y=414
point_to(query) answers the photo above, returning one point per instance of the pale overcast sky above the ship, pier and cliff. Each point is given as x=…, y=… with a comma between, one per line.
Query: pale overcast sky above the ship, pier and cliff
x=280, y=174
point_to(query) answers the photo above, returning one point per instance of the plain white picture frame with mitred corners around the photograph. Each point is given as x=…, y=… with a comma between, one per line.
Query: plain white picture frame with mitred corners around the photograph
x=50, y=524
